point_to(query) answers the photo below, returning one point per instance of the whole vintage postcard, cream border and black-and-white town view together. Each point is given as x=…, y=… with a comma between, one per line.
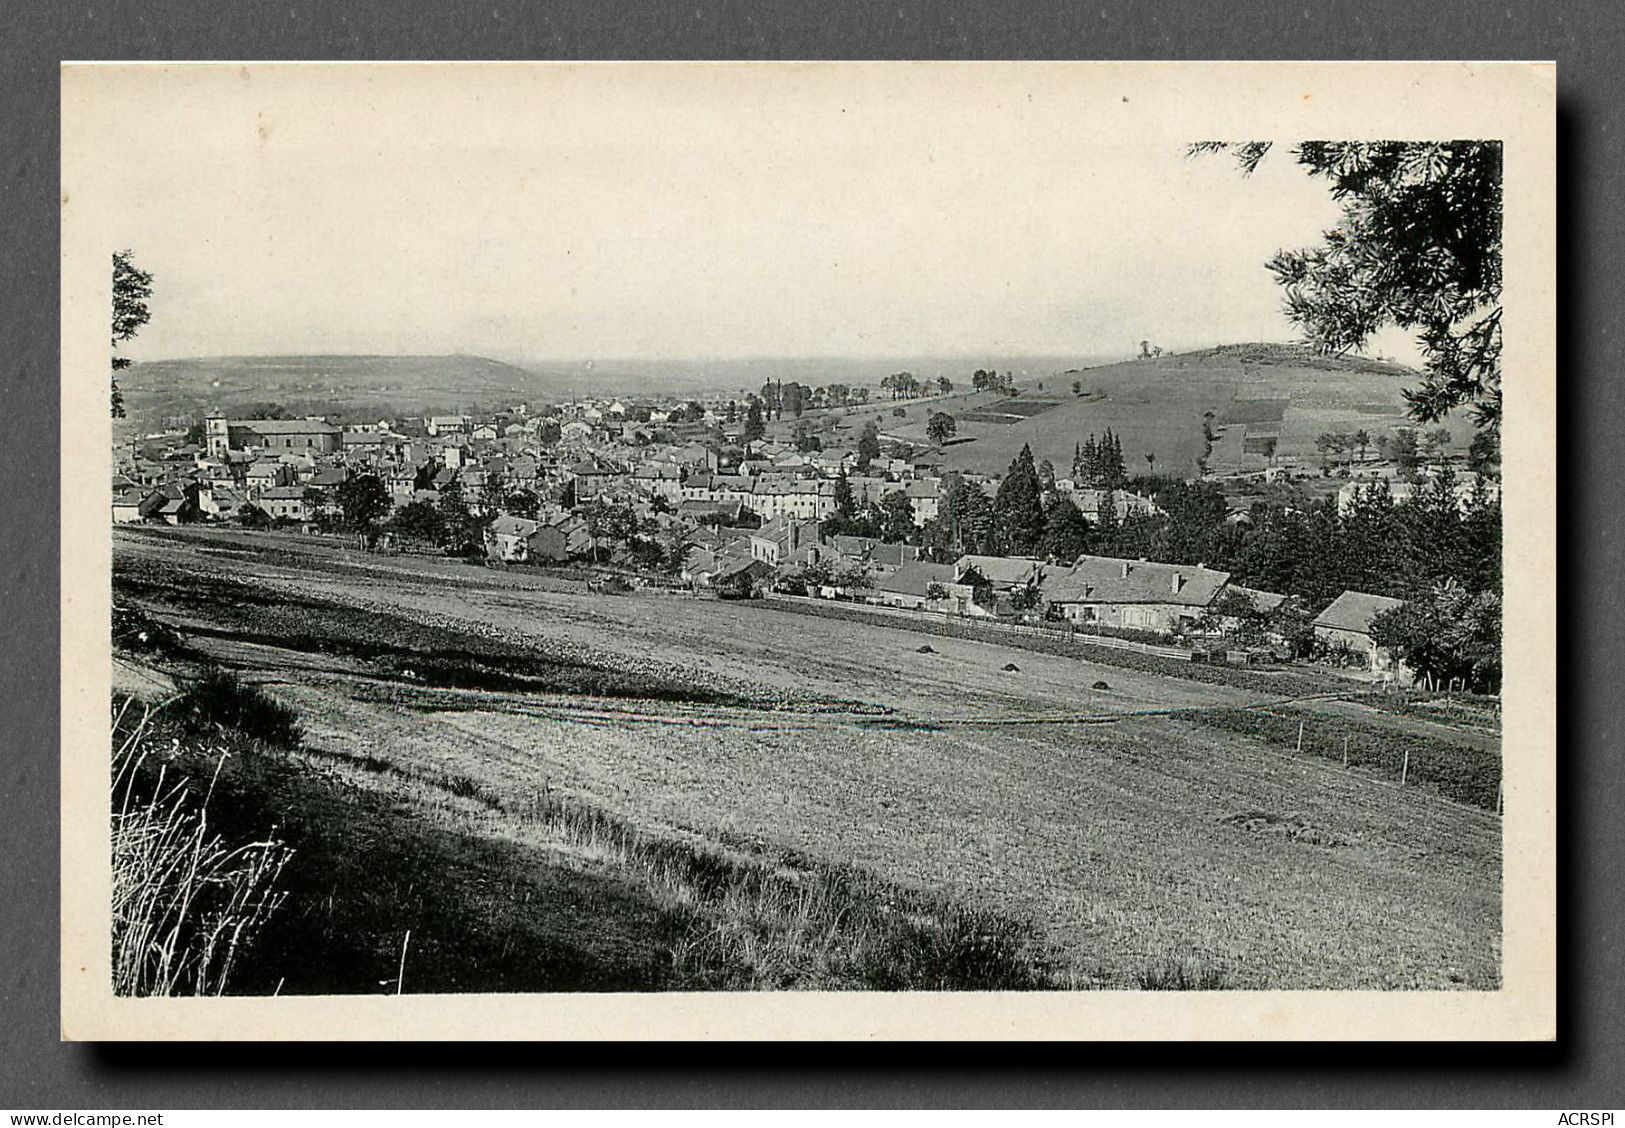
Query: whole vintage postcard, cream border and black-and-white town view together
x=802, y=531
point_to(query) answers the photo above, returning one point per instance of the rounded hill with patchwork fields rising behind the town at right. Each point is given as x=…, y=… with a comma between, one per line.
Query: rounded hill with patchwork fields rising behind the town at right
x=1259, y=394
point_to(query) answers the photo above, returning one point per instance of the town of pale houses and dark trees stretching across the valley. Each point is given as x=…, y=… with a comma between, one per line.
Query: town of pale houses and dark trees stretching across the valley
x=1380, y=562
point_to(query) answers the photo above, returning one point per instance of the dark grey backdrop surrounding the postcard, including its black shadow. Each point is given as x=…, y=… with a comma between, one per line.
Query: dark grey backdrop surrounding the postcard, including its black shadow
x=1582, y=1070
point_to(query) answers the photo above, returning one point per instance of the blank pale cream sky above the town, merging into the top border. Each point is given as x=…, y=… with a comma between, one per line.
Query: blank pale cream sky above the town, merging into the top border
x=675, y=212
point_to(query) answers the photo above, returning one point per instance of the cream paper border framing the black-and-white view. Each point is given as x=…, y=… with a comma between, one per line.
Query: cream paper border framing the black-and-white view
x=1138, y=103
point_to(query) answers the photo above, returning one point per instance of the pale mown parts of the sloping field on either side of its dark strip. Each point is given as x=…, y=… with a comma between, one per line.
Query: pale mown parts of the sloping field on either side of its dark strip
x=1129, y=843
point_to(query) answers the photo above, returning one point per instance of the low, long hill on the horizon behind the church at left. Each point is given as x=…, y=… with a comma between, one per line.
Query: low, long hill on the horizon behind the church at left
x=360, y=388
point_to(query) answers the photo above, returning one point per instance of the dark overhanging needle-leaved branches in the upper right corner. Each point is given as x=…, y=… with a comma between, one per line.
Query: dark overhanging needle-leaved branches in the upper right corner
x=1419, y=248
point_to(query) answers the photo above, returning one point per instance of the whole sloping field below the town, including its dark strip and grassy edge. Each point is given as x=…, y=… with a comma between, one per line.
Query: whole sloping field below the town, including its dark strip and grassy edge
x=448, y=709
